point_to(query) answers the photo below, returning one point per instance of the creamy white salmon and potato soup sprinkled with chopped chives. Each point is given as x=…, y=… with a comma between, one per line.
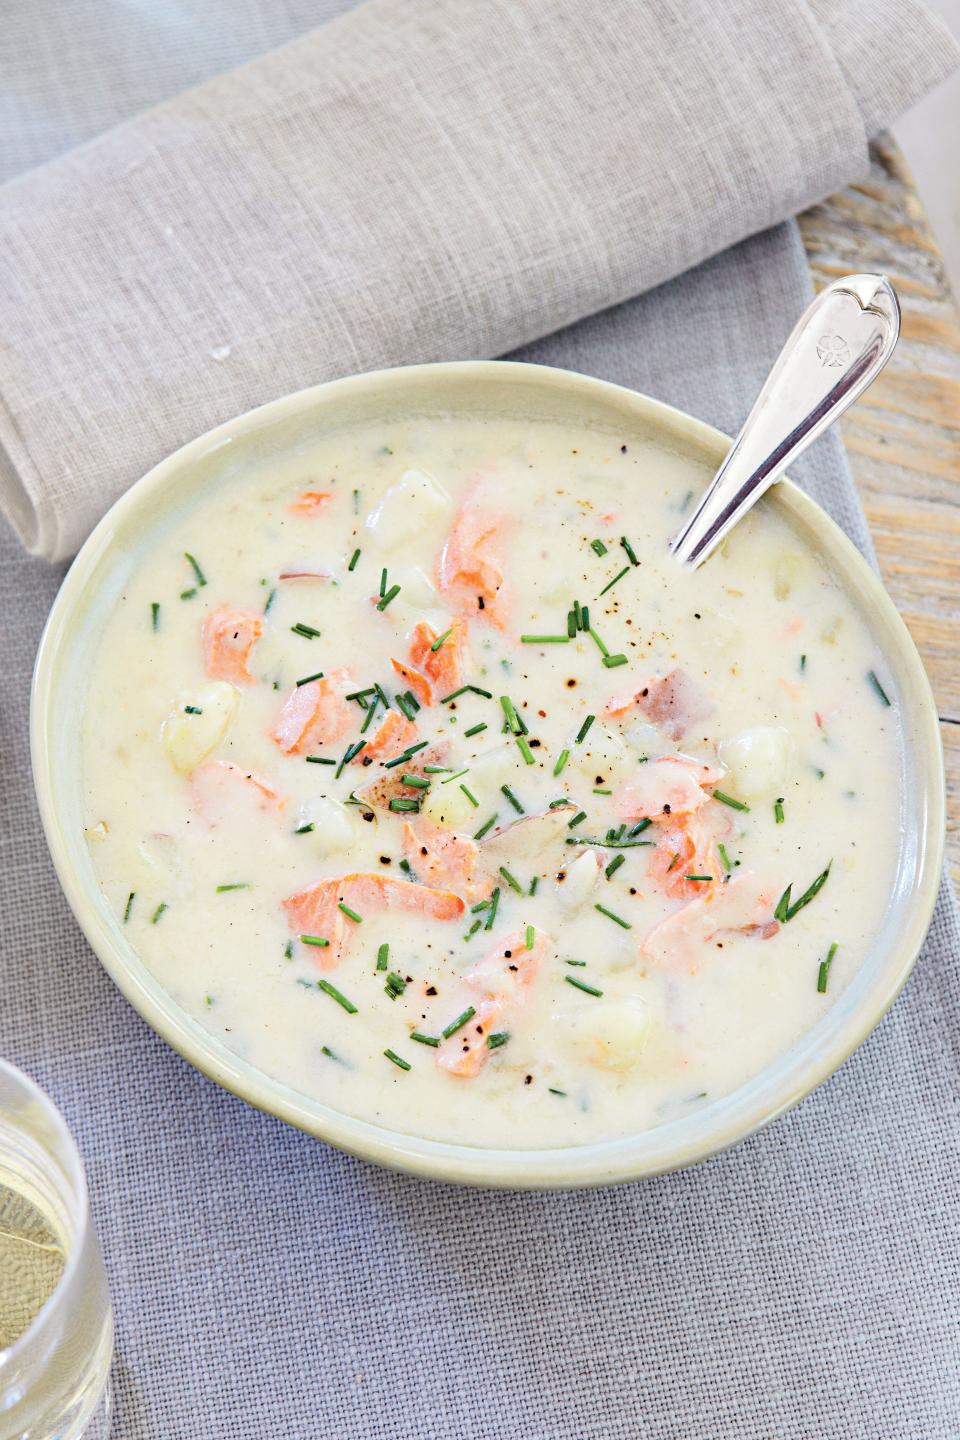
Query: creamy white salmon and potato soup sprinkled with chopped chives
x=427, y=781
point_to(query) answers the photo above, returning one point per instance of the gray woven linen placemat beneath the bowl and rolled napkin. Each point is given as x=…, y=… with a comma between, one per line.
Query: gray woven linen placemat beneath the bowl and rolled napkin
x=805, y=1287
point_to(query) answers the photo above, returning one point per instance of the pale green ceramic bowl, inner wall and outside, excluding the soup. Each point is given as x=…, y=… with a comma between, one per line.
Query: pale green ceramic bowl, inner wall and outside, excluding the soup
x=129, y=532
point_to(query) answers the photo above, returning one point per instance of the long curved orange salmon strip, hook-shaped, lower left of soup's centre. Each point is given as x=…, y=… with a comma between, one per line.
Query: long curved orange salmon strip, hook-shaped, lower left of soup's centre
x=316, y=911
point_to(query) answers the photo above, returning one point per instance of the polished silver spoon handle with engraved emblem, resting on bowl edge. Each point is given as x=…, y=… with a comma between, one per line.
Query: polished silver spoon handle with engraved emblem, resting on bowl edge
x=837, y=349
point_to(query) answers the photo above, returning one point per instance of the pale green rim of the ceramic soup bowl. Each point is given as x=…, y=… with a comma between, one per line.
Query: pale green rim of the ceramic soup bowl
x=602, y=1163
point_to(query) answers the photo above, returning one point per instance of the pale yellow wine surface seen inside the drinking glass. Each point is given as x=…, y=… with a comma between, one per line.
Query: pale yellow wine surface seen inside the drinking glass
x=32, y=1262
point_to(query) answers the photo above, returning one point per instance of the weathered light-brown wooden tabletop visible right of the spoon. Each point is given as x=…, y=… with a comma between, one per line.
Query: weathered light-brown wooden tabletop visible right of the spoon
x=903, y=437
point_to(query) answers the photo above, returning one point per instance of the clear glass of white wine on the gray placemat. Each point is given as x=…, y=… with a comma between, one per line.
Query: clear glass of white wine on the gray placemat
x=57, y=1331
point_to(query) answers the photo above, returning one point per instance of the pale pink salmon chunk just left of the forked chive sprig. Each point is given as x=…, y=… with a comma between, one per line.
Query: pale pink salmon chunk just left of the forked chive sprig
x=743, y=906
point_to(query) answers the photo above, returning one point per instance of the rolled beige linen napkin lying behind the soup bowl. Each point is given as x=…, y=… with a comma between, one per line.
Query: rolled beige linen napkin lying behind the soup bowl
x=412, y=182
